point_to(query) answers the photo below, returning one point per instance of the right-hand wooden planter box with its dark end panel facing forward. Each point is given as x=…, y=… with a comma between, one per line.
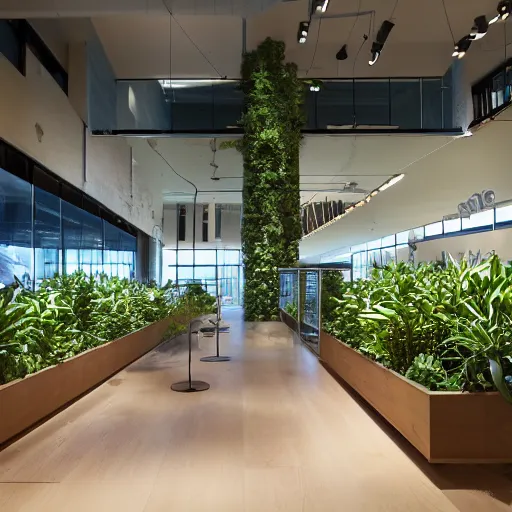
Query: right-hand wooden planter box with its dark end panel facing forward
x=444, y=426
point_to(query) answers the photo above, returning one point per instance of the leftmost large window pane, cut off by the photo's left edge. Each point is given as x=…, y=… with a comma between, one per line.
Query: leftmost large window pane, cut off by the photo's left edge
x=15, y=229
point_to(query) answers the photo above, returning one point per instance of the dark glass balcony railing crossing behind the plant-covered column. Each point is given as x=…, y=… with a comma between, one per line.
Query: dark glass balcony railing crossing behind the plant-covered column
x=215, y=106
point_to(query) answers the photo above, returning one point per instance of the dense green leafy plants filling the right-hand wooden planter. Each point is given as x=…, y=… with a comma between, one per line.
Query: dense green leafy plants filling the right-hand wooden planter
x=446, y=328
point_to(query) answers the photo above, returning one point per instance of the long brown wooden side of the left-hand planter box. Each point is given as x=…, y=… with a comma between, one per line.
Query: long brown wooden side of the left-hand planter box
x=27, y=401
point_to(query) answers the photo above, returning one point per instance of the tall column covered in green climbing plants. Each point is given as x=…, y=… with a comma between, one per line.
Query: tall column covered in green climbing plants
x=272, y=124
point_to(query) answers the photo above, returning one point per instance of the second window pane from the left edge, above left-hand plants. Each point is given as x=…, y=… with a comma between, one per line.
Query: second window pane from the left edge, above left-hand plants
x=46, y=235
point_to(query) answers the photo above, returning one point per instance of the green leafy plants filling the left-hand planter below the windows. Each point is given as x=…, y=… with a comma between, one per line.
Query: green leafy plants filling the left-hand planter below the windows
x=70, y=314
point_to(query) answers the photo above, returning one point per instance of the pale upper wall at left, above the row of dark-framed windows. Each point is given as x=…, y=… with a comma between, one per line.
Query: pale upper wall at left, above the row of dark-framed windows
x=37, y=99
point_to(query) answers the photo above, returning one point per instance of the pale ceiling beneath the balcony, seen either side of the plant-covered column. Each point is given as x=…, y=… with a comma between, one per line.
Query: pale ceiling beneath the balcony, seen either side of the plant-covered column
x=327, y=165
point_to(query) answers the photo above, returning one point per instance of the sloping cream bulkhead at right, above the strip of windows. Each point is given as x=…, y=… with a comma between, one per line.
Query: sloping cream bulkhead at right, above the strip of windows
x=432, y=188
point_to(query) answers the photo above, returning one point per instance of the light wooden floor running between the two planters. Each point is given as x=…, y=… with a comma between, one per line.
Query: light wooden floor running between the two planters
x=275, y=432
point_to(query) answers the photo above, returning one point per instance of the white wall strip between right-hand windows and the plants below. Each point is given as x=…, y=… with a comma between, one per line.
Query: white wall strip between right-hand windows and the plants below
x=499, y=241
